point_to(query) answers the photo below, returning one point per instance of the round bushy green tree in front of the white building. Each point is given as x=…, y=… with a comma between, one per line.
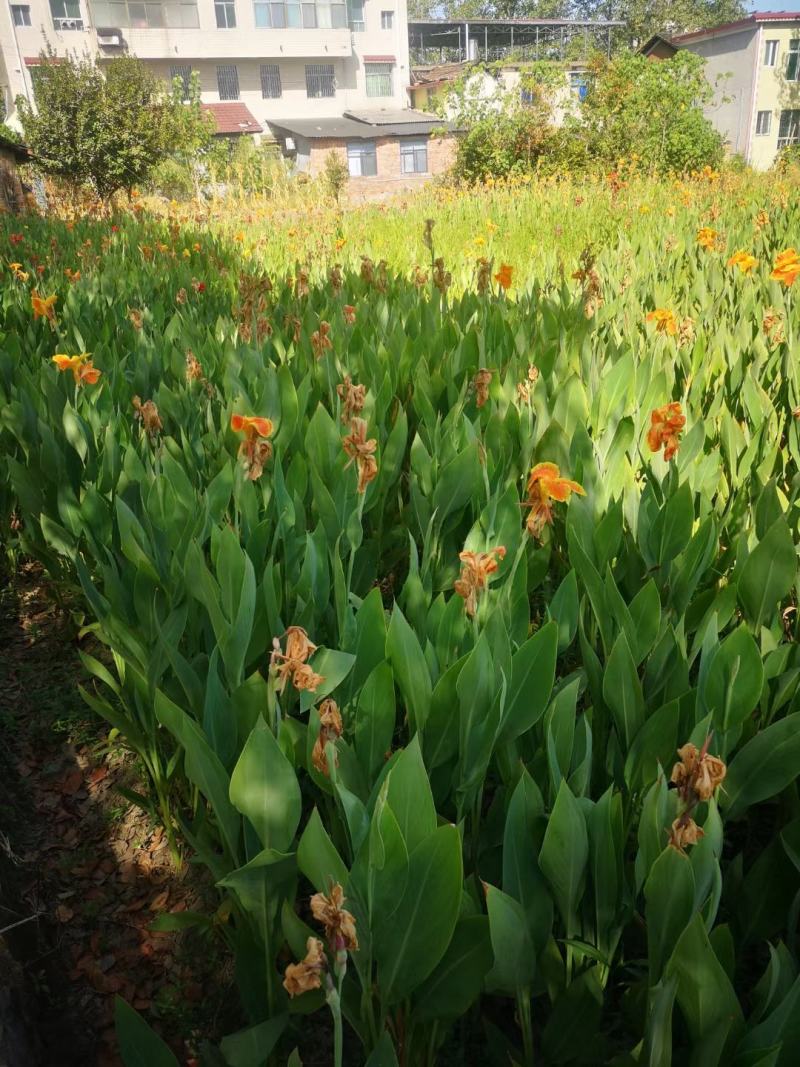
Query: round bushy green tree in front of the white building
x=105, y=128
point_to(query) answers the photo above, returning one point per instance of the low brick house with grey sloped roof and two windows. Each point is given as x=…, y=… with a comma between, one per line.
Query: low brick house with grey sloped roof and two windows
x=403, y=148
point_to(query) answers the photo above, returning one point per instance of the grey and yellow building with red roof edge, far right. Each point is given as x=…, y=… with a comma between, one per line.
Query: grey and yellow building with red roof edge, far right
x=758, y=109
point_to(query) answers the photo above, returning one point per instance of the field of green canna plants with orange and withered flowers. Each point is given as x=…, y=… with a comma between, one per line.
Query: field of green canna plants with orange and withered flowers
x=443, y=561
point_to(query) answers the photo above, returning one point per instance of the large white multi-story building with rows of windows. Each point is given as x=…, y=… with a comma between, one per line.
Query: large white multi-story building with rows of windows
x=262, y=63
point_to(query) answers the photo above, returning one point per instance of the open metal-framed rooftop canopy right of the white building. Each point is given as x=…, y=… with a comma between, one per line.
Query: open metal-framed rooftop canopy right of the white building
x=491, y=39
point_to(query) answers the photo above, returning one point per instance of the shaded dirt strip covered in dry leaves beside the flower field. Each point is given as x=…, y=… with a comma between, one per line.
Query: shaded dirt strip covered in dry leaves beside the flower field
x=83, y=872
